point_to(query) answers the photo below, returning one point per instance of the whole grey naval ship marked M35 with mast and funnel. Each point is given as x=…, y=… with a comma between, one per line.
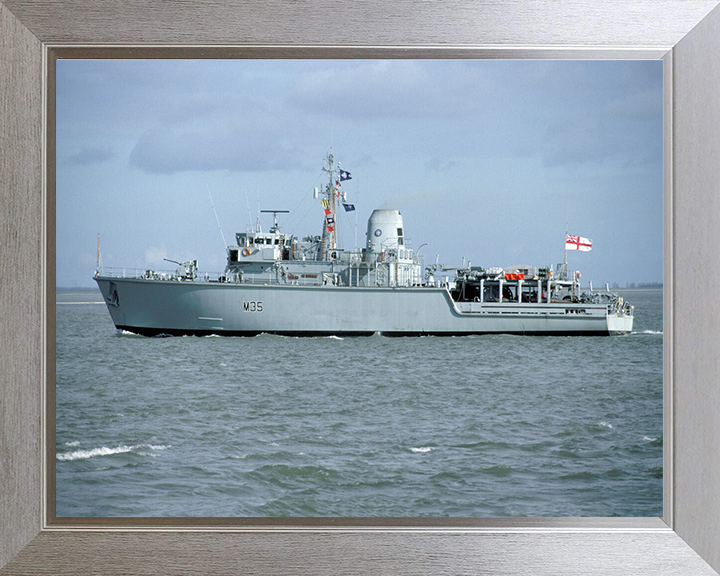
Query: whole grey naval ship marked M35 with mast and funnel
x=280, y=284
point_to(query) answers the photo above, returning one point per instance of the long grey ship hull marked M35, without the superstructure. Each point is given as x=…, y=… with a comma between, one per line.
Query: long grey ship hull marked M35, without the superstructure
x=174, y=307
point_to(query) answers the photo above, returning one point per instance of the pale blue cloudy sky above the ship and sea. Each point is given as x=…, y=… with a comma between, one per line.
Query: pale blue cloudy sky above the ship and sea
x=488, y=161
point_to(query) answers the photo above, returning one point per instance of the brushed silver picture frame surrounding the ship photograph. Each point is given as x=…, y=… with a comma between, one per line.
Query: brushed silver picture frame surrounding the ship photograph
x=685, y=34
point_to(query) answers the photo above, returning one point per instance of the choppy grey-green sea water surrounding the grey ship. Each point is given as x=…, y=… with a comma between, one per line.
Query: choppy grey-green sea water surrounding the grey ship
x=276, y=426
